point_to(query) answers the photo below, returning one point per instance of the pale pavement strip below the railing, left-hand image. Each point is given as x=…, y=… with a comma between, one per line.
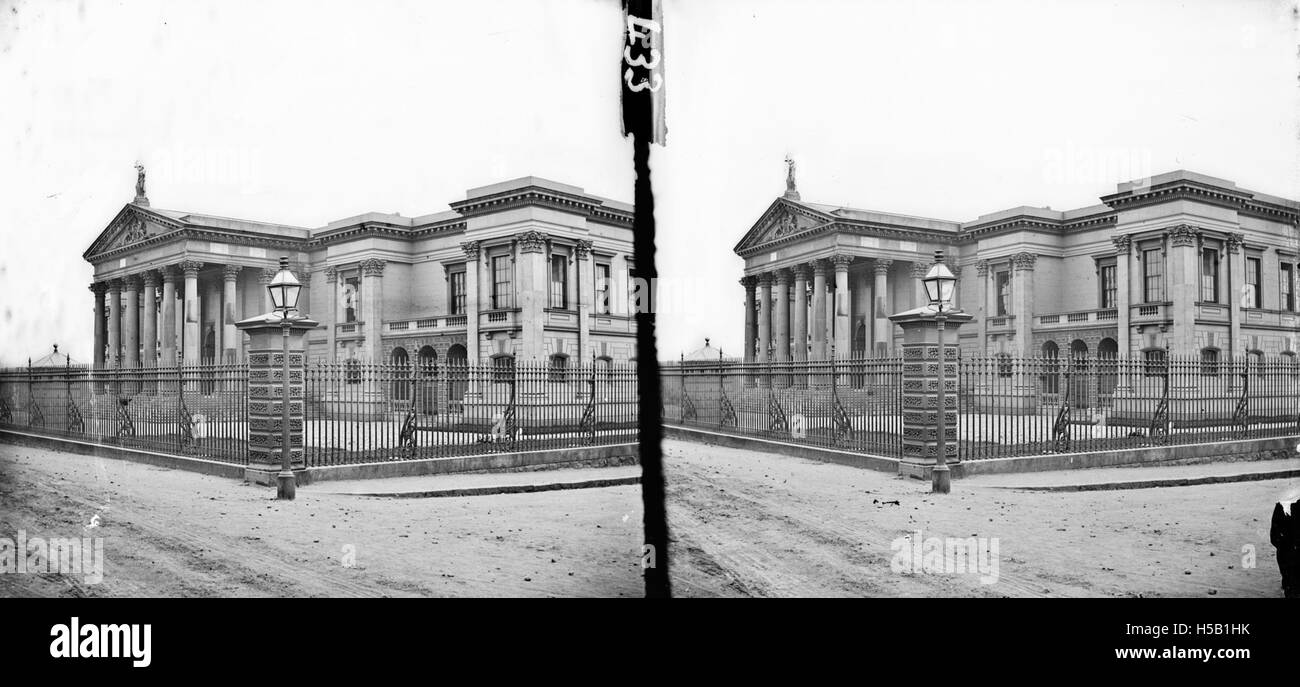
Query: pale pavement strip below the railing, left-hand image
x=488, y=483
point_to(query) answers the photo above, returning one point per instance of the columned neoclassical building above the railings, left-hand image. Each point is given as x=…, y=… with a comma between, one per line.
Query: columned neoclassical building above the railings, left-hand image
x=528, y=269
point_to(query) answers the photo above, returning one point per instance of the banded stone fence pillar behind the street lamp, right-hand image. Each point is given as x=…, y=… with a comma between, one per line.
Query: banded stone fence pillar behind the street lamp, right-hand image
x=921, y=378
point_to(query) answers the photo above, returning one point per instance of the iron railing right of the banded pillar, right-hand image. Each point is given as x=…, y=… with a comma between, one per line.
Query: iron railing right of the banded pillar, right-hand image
x=1026, y=407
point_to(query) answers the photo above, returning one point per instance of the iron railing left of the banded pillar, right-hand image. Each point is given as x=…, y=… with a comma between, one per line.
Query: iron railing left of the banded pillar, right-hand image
x=851, y=405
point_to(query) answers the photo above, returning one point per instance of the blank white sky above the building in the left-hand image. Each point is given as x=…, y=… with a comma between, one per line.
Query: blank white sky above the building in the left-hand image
x=296, y=113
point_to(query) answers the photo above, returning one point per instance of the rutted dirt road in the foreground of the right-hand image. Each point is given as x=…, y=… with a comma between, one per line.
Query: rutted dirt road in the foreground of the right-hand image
x=752, y=524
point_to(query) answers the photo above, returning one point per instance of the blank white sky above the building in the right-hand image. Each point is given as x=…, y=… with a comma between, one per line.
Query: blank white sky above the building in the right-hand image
x=950, y=110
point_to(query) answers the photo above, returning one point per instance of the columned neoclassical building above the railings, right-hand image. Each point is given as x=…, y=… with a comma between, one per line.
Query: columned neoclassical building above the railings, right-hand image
x=1184, y=261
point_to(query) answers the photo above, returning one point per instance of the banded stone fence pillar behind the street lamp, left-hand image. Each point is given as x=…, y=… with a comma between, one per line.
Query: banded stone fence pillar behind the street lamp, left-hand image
x=267, y=396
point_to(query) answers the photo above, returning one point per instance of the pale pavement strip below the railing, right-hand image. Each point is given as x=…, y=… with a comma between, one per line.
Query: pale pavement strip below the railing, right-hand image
x=1141, y=478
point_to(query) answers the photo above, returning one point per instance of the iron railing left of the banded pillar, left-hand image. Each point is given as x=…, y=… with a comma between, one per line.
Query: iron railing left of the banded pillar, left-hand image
x=188, y=411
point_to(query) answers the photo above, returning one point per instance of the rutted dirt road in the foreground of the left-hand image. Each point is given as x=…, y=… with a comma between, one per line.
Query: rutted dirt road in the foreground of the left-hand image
x=181, y=534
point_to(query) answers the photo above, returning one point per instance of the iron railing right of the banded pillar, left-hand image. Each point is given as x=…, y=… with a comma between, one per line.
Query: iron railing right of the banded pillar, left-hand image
x=361, y=413
